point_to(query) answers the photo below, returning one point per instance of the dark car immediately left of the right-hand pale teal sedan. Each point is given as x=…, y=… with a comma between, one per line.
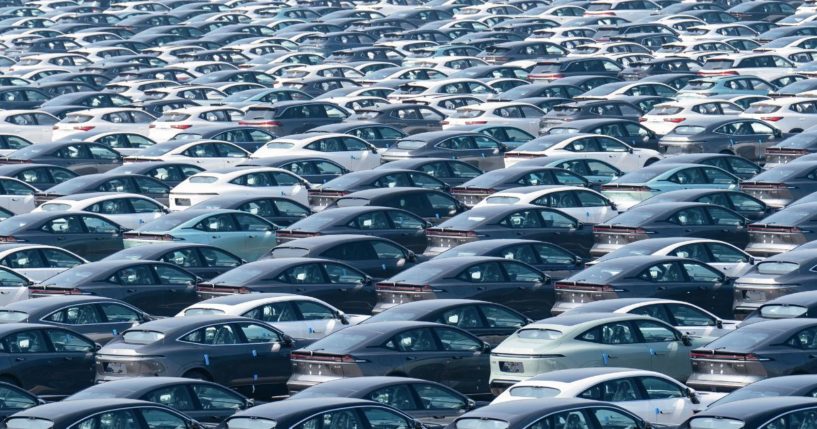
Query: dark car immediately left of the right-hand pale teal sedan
x=477, y=189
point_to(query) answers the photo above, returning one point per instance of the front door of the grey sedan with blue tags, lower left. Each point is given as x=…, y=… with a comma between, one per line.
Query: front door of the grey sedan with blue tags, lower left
x=269, y=366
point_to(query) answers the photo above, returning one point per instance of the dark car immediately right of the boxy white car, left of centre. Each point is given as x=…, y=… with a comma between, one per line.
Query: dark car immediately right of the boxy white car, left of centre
x=330, y=191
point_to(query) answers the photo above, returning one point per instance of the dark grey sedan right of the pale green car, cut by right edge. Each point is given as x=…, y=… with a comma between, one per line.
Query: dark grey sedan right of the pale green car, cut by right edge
x=754, y=352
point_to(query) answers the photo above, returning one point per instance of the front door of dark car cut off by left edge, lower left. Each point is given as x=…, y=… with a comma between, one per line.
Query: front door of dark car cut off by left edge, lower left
x=74, y=355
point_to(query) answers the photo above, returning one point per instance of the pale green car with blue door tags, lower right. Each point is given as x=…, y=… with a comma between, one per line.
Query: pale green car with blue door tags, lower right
x=591, y=340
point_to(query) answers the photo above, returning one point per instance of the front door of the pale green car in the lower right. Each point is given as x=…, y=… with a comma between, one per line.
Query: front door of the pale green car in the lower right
x=667, y=352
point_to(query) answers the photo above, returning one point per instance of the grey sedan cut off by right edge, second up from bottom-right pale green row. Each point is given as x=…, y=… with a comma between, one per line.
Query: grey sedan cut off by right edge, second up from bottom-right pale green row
x=775, y=277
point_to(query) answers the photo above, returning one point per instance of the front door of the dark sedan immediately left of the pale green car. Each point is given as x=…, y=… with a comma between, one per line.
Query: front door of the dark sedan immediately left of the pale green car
x=466, y=361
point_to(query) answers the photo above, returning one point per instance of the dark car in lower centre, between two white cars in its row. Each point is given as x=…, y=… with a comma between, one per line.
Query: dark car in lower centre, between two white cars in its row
x=490, y=322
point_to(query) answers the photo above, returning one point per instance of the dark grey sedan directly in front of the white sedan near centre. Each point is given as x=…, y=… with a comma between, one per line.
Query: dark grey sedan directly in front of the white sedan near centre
x=511, y=221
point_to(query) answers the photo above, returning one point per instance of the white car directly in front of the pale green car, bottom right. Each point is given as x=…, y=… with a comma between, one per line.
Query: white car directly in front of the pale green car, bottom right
x=653, y=396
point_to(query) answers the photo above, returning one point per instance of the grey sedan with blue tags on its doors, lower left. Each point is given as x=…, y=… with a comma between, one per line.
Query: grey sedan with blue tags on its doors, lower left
x=245, y=354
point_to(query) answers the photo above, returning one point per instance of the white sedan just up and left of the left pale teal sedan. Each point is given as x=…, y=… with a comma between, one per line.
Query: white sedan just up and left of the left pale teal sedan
x=128, y=210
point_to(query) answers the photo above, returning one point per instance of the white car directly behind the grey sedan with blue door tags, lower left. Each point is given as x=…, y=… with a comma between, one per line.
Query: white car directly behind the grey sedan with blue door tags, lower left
x=299, y=316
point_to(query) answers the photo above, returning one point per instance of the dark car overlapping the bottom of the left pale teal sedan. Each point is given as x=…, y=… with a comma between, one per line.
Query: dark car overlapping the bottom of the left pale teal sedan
x=200, y=259
